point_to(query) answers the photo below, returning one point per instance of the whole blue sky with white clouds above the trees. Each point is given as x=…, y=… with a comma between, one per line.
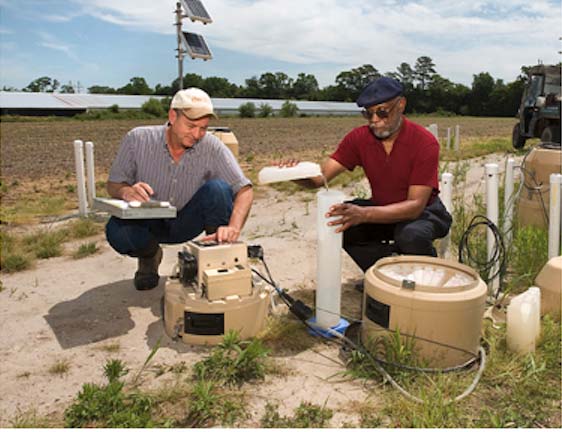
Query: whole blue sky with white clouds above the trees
x=107, y=42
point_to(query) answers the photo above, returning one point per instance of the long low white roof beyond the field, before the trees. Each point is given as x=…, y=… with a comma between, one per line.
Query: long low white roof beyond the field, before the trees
x=78, y=101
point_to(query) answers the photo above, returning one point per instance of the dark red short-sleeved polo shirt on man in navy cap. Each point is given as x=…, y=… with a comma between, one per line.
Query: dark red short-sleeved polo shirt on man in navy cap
x=414, y=160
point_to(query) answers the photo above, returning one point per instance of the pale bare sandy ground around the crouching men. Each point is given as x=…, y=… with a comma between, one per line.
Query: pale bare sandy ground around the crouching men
x=69, y=310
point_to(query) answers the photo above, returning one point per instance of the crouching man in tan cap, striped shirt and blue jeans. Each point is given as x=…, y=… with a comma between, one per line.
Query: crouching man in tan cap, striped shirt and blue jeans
x=181, y=163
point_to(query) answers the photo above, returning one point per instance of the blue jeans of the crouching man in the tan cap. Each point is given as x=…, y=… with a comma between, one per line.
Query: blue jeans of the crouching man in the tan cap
x=210, y=207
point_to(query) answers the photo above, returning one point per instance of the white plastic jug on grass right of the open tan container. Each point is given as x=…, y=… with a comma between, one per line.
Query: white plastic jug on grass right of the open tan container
x=523, y=321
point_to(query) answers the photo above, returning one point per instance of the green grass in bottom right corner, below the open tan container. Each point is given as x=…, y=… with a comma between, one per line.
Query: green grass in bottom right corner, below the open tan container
x=514, y=391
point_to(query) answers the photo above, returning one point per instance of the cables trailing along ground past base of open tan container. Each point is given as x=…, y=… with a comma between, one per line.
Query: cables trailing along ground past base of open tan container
x=374, y=360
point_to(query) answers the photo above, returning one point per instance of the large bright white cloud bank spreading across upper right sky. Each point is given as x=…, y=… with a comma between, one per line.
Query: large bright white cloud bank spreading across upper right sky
x=384, y=33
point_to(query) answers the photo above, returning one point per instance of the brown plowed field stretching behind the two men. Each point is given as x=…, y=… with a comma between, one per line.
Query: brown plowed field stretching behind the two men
x=34, y=150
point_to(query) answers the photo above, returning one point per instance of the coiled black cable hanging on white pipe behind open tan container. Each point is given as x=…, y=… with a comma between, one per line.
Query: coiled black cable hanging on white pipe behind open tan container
x=498, y=258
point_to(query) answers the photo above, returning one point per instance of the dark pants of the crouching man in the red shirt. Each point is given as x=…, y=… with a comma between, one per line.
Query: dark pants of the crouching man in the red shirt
x=367, y=243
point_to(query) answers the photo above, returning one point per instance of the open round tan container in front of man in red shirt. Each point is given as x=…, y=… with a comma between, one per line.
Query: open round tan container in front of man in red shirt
x=438, y=301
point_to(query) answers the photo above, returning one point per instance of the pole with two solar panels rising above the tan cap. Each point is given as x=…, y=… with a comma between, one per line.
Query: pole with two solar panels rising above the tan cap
x=192, y=44
